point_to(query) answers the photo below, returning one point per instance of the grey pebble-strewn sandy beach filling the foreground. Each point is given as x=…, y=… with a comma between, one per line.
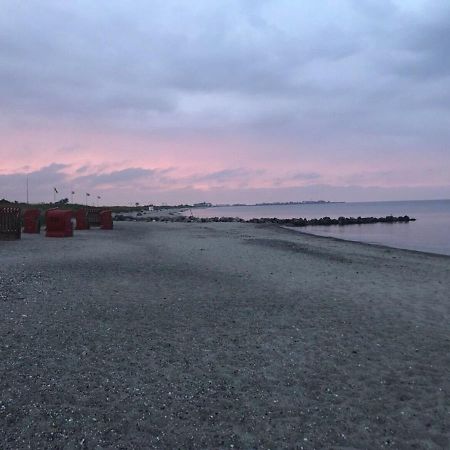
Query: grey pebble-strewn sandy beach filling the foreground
x=225, y=335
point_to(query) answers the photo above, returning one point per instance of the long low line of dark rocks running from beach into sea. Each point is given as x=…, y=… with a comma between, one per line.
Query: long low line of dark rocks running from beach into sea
x=294, y=222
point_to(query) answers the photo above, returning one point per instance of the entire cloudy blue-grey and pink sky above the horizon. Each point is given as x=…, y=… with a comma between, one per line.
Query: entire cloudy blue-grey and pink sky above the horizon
x=225, y=101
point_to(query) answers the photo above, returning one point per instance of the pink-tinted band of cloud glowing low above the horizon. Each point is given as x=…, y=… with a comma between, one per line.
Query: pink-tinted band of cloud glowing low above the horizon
x=148, y=165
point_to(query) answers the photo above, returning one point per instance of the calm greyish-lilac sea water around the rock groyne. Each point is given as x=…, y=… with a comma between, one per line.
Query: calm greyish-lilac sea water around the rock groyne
x=430, y=233
